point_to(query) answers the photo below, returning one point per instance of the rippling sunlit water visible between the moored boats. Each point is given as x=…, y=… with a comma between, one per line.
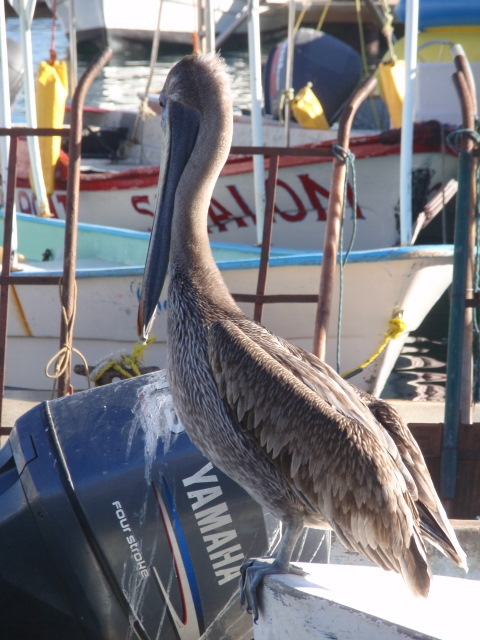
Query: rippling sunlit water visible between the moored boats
x=420, y=371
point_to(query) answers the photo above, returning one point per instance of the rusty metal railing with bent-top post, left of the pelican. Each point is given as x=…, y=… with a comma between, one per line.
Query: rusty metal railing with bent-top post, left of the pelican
x=67, y=280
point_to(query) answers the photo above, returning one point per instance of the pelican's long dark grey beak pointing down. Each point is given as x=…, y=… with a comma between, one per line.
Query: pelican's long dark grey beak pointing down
x=181, y=125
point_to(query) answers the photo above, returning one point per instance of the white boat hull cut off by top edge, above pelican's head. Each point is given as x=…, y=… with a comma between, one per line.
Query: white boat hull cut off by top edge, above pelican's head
x=102, y=23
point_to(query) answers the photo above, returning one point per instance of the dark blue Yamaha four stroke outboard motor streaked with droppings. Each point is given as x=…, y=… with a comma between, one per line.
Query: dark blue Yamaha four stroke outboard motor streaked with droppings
x=113, y=526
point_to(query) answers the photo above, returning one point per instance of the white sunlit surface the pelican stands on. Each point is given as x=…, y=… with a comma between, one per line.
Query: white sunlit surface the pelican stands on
x=365, y=603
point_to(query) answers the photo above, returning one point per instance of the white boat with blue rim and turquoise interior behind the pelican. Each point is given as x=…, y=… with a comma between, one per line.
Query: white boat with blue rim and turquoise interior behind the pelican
x=390, y=283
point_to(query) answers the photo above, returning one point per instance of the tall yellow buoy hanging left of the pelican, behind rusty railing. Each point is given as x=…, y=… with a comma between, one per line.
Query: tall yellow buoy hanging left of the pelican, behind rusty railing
x=52, y=93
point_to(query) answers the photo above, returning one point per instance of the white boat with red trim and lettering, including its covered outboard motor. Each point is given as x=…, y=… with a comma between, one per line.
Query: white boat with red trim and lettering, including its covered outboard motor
x=121, y=156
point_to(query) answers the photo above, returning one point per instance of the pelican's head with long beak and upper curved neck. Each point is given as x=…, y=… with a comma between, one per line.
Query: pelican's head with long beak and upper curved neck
x=196, y=137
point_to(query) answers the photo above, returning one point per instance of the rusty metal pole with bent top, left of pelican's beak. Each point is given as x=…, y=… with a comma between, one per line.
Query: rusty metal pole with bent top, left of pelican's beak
x=71, y=214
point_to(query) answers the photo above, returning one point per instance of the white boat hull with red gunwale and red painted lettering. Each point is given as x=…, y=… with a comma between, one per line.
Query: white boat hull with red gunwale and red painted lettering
x=122, y=194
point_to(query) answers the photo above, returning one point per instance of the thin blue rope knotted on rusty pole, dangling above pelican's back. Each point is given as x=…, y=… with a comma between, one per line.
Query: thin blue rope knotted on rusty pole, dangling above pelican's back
x=346, y=156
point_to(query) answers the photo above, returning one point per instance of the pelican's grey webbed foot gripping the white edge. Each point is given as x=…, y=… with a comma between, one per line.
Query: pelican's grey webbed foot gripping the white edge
x=252, y=572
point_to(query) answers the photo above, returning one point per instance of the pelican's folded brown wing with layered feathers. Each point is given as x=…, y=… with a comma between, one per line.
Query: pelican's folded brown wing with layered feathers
x=336, y=461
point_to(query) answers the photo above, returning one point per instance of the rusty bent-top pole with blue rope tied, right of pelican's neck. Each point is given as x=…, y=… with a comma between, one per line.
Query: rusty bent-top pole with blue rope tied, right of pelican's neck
x=334, y=219
